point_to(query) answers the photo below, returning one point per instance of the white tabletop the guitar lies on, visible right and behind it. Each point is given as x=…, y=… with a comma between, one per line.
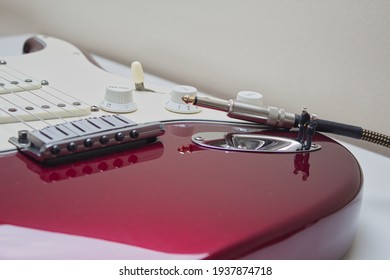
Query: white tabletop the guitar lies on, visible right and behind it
x=373, y=236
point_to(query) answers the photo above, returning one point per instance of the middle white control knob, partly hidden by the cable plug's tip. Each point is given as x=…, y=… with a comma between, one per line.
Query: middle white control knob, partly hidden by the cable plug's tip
x=177, y=105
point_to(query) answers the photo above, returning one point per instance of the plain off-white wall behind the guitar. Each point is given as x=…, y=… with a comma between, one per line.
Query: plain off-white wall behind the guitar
x=332, y=56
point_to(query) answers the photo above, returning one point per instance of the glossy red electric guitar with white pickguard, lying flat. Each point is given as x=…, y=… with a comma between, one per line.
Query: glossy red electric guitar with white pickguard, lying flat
x=160, y=181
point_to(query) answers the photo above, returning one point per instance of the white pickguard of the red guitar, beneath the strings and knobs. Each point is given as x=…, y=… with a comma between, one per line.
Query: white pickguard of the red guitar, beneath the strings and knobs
x=73, y=81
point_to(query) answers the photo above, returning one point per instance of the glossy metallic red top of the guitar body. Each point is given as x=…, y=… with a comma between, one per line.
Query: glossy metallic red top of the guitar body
x=175, y=197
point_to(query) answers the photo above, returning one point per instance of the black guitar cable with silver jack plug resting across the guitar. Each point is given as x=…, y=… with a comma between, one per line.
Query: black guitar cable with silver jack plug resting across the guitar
x=277, y=117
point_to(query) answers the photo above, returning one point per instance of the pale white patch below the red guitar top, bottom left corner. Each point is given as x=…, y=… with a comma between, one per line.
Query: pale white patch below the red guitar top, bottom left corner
x=38, y=245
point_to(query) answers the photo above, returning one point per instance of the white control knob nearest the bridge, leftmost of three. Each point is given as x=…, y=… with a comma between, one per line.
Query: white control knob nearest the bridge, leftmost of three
x=118, y=99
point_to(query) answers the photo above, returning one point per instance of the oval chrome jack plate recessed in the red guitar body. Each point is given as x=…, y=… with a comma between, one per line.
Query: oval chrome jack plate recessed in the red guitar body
x=249, y=142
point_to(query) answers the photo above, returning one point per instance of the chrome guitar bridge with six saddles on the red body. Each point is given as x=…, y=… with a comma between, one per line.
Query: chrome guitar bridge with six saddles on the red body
x=81, y=137
